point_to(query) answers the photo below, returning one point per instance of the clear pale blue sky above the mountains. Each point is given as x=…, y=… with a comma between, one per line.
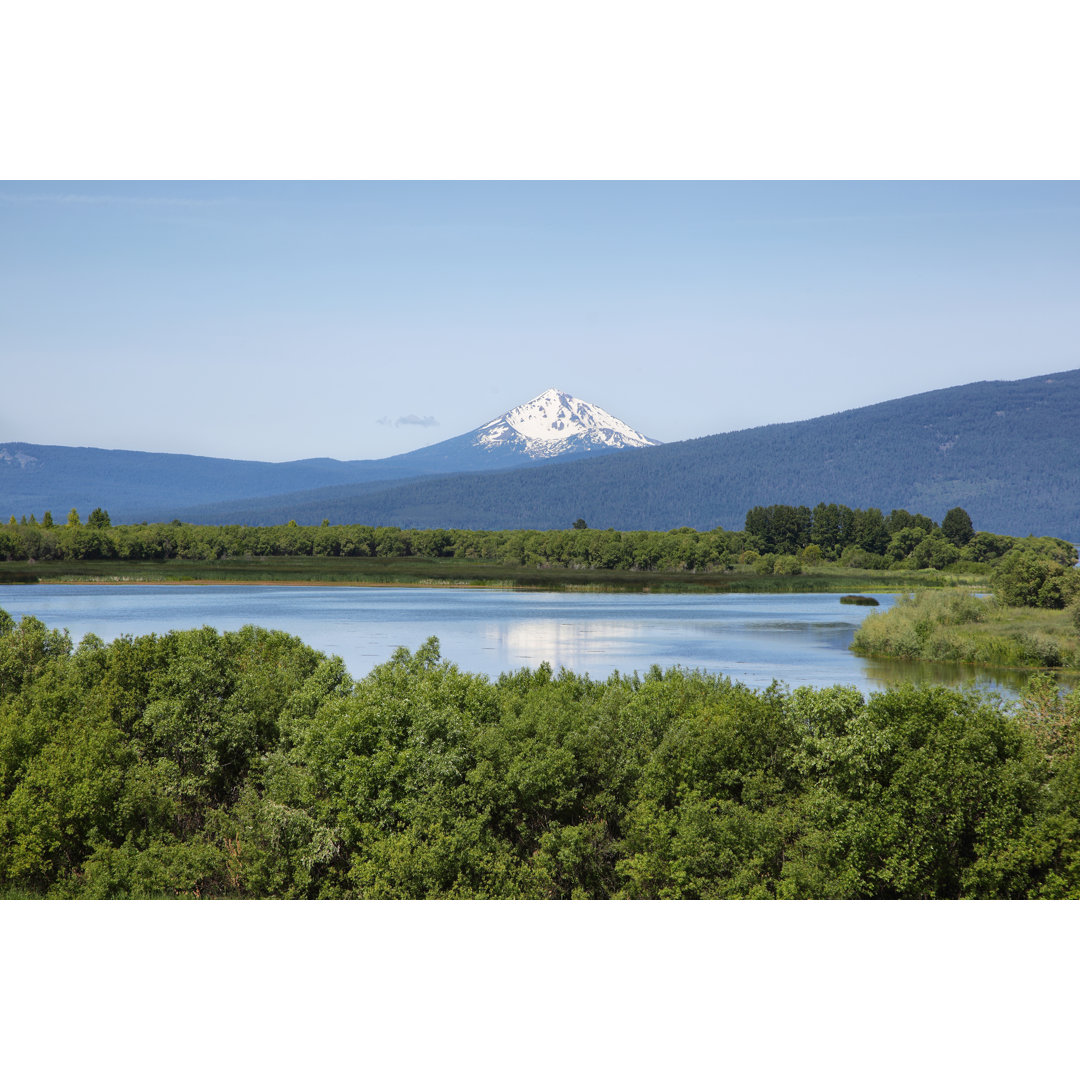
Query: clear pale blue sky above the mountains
x=283, y=320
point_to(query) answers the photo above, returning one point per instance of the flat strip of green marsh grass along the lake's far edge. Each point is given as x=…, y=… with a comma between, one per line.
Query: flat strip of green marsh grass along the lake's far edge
x=453, y=572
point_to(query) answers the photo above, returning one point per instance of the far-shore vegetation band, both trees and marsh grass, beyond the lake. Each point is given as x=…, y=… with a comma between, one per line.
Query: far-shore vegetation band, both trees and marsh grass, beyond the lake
x=831, y=548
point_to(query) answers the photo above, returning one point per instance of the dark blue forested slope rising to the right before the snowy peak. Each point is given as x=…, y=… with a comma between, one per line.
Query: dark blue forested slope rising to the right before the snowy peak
x=1009, y=452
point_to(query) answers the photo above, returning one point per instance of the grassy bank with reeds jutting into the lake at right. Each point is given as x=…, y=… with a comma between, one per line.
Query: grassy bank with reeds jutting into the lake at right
x=957, y=627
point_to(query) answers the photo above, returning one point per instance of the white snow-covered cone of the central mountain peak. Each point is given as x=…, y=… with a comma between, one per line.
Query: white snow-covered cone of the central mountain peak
x=557, y=423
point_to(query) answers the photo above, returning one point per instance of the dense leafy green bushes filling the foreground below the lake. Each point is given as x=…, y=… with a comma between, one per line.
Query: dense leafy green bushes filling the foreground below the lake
x=247, y=765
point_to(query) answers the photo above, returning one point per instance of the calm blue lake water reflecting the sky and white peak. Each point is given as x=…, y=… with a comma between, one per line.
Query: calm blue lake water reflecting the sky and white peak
x=800, y=639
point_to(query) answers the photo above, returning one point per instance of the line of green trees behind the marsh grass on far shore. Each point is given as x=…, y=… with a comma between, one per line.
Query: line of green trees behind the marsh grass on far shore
x=777, y=539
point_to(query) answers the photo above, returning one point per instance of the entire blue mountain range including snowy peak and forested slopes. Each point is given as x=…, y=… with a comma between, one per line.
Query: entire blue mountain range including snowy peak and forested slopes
x=1009, y=453
